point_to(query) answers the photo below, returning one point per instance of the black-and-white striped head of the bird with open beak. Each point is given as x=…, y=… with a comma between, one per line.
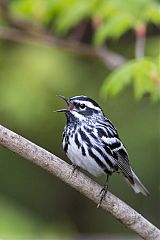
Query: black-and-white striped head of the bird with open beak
x=81, y=107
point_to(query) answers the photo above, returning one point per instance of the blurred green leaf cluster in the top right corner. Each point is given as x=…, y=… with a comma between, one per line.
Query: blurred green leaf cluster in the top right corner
x=118, y=16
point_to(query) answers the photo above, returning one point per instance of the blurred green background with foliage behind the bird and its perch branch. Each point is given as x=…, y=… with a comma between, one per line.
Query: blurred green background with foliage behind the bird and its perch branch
x=107, y=50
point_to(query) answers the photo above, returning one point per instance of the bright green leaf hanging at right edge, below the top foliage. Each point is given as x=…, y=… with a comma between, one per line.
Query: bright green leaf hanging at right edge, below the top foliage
x=144, y=74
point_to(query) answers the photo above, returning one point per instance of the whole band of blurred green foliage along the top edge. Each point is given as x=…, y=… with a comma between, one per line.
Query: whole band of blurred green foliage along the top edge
x=114, y=16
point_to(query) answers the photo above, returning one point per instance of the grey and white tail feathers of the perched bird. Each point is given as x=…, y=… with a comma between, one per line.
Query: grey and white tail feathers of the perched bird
x=137, y=185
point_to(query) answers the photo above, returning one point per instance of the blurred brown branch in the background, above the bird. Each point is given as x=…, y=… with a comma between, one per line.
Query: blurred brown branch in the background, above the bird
x=109, y=58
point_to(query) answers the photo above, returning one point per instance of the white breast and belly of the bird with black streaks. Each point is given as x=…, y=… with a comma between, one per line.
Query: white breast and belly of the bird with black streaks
x=87, y=149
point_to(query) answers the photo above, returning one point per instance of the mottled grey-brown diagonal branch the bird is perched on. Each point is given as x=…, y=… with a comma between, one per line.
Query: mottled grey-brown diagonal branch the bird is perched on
x=39, y=156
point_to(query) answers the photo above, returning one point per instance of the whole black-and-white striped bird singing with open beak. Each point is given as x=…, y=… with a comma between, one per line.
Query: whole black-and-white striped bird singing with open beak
x=92, y=143
